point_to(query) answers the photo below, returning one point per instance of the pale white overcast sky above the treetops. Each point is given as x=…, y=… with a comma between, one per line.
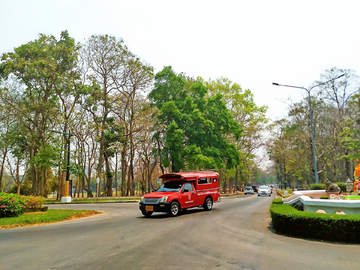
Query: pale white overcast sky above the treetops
x=253, y=43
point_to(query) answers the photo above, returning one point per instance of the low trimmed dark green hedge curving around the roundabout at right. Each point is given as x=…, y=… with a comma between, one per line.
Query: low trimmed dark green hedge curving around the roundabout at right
x=329, y=227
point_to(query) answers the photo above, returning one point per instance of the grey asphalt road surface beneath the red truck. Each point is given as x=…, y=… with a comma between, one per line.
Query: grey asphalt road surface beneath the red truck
x=236, y=234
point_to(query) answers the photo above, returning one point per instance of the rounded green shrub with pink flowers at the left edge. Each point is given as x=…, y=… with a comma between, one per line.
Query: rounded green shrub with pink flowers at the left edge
x=11, y=205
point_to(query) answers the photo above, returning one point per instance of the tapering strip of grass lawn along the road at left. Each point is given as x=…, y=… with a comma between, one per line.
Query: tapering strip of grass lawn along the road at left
x=41, y=218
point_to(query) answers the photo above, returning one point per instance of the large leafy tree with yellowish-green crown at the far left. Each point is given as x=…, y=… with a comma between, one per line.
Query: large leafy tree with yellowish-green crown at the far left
x=41, y=68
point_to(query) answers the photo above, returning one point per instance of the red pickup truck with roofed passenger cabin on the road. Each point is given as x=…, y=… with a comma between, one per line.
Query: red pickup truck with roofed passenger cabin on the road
x=181, y=191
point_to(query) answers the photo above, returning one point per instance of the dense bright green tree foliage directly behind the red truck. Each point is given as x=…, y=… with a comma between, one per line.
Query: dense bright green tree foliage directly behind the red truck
x=194, y=127
